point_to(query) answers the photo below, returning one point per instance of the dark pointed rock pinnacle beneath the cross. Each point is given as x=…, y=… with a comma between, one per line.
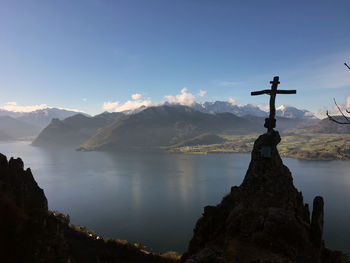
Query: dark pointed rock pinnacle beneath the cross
x=262, y=220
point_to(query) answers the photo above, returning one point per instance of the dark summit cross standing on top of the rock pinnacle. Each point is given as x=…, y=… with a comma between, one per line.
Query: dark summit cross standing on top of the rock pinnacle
x=270, y=122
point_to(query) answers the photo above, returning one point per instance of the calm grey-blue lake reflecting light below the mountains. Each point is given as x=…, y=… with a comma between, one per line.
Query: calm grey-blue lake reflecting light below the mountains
x=155, y=198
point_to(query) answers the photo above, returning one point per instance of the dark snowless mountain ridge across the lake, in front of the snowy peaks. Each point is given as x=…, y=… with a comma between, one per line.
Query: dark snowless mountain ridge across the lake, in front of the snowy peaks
x=152, y=127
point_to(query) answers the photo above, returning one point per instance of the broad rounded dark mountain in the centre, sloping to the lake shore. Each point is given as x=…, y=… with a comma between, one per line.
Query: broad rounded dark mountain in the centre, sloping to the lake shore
x=164, y=126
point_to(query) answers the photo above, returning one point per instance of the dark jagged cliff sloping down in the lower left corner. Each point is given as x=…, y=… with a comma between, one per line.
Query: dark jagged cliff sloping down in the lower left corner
x=31, y=233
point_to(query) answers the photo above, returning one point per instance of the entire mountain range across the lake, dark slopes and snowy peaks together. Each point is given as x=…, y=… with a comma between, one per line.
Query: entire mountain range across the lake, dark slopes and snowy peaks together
x=157, y=126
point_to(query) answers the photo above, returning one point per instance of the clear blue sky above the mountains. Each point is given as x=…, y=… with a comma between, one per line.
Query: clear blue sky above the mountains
x=89, y=53
